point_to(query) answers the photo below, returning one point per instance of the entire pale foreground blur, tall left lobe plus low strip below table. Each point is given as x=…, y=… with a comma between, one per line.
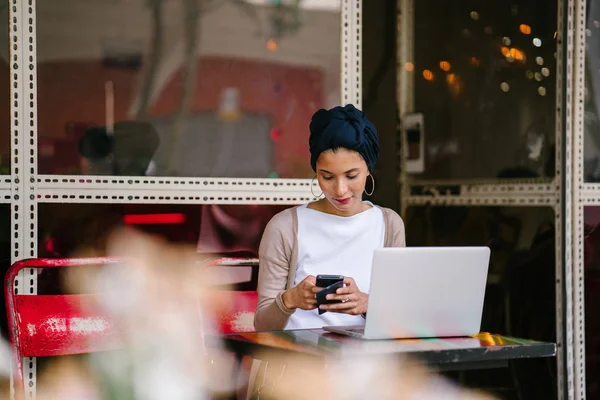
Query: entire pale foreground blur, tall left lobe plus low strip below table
x=164, y=306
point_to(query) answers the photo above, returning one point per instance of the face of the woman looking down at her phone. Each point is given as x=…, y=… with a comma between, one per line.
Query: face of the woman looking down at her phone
x=342, y=175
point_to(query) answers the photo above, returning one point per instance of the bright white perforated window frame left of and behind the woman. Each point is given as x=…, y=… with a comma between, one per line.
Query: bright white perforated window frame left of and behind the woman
x=24, y=189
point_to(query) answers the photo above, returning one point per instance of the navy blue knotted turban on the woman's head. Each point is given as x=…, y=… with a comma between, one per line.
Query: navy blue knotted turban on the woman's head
x=346, y=127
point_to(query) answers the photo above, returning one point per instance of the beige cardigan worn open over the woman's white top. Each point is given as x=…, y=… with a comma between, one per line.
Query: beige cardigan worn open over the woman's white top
x=278, y=256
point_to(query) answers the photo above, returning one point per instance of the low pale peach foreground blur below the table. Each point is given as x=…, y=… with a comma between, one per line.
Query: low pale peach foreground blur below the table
x=356, y=377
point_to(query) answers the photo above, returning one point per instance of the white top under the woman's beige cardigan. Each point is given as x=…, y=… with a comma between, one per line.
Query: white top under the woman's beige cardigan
x=332, y=245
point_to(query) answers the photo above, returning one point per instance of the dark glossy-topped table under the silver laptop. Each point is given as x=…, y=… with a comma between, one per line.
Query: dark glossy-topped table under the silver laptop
x=445, y=354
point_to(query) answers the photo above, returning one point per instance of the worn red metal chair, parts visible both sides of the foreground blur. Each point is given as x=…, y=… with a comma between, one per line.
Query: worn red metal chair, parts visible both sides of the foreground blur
x=55, y=325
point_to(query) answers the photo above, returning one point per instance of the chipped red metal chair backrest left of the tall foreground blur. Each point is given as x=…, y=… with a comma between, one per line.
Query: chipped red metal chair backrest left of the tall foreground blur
x=52, y=325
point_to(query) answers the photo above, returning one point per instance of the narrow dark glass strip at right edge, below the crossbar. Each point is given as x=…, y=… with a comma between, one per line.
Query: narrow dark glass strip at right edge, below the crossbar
x=592, y=298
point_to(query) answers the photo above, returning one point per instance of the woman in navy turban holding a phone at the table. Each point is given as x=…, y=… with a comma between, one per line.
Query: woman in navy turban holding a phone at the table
x=335, y=235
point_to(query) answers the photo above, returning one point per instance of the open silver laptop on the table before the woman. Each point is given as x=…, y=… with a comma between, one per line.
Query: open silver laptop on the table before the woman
x=421, y=292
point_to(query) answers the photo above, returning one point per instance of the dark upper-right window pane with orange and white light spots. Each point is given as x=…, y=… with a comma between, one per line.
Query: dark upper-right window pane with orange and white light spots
x=484, y=79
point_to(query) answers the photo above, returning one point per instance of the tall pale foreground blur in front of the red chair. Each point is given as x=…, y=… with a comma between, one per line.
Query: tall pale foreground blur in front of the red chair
x=161, y=302
